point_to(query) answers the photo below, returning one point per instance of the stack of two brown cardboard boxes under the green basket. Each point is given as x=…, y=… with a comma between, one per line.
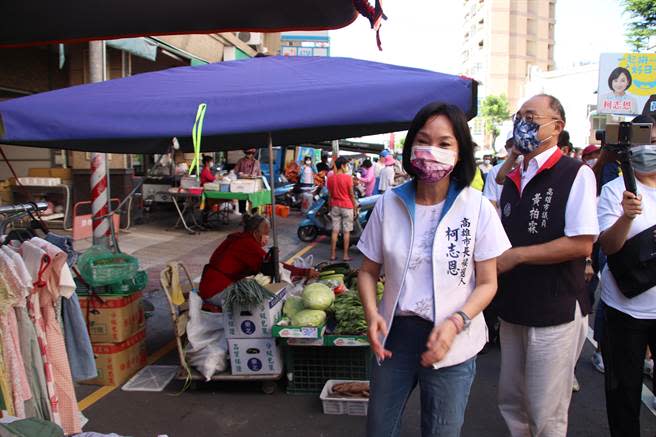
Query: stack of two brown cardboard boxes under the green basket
x=117, y=331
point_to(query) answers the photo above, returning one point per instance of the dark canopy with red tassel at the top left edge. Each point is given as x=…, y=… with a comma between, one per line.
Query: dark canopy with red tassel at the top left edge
x=46, y=22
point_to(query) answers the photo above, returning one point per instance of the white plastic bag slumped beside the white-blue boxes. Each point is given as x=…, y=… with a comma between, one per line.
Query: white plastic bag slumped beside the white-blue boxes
x=207, y=348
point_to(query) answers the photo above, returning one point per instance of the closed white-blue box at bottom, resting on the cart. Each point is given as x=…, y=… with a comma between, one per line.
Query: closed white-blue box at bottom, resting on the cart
x=254, y=356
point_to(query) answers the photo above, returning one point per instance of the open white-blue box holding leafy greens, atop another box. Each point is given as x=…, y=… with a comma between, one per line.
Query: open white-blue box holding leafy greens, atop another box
x=256, y=322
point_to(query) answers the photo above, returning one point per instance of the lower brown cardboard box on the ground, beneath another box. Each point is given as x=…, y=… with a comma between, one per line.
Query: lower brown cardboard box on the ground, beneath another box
x=117, y=362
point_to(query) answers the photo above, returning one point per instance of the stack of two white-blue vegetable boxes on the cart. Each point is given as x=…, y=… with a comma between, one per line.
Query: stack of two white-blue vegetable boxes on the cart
x=253, y=350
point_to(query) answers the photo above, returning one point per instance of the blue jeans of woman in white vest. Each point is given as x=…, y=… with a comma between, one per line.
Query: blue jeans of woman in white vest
x=444, y=392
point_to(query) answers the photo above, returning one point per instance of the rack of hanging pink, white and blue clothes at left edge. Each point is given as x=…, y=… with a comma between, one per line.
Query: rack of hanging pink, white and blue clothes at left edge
x=44, y=342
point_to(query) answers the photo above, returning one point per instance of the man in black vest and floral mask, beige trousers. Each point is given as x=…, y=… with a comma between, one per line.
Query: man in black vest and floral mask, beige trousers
x=548, y=209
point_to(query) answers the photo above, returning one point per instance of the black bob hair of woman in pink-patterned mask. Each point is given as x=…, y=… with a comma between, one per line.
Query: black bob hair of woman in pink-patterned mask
x=465, y=170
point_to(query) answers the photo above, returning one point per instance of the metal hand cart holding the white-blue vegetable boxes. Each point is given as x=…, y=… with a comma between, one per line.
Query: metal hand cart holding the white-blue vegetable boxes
x=180, y=318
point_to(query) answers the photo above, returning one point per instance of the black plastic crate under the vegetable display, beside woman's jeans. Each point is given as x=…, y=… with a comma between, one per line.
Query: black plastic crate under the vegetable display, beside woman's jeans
x=310, y=367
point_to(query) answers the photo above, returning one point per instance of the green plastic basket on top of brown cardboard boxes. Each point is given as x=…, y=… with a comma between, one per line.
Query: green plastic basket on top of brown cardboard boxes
x=99, y=266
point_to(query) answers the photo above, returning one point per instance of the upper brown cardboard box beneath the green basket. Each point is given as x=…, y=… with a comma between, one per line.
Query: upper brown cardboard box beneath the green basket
x=115, y=318
